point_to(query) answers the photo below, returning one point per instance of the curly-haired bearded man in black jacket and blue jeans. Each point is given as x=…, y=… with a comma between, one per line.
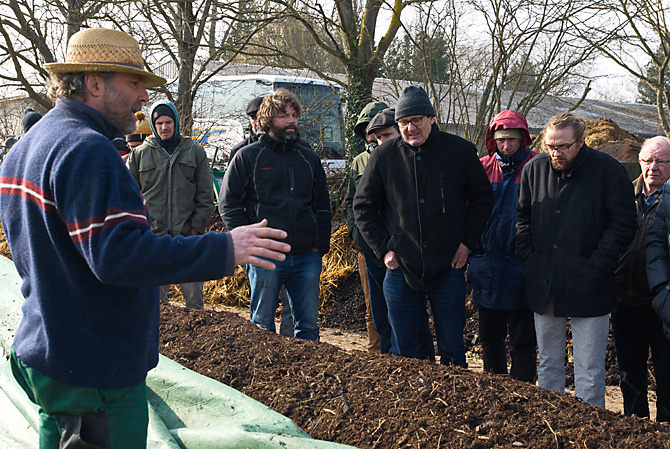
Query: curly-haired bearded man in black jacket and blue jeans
x=280, y=178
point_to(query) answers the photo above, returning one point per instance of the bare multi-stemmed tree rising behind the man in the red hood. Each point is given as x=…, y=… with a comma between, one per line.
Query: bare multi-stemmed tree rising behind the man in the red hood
x=533, y=52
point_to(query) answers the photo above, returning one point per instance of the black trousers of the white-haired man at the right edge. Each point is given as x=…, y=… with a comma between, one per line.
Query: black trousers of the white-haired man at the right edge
x=636, y=330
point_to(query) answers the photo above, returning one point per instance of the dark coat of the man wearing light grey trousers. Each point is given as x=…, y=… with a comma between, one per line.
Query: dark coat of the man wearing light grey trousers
x=570, y=232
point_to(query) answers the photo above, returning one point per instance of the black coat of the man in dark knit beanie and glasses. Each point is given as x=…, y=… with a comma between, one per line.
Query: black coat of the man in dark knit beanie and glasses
x=422, y=203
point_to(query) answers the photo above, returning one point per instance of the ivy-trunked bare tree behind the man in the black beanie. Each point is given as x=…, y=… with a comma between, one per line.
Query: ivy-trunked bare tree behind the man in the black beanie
x=346, y=31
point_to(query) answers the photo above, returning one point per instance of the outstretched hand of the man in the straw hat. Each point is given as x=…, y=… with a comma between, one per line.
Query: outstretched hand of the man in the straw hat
x=253, y=243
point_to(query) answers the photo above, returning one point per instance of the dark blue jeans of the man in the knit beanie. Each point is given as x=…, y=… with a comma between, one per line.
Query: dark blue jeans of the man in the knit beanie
x=406, y=309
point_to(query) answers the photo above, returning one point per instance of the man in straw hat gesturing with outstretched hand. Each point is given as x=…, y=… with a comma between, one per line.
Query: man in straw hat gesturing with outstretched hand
x=79, y=232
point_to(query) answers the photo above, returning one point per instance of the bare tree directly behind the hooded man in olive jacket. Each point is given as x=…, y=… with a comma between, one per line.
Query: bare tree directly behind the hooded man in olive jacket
x=188, y=36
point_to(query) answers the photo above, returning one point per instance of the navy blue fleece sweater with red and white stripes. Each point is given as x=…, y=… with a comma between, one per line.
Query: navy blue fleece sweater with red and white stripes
x=78, y=230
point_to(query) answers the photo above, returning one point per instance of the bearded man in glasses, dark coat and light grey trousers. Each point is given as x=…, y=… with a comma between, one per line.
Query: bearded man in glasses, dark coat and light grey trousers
x=575, y=215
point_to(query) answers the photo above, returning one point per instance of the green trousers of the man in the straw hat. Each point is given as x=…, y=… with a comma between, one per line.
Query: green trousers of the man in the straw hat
x=74, y=417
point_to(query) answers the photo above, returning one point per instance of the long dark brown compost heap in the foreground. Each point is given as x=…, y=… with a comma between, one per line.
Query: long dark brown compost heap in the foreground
x=374, y=401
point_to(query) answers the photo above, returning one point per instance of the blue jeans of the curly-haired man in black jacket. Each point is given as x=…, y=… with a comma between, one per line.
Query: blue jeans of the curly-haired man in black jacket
x=300, y=274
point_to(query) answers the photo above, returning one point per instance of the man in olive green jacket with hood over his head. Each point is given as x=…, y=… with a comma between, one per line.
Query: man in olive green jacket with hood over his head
x=174, y=178
